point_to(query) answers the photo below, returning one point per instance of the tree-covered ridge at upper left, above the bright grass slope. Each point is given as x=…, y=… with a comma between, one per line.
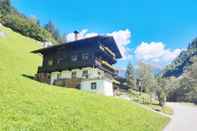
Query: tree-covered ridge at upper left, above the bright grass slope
x=27, y=26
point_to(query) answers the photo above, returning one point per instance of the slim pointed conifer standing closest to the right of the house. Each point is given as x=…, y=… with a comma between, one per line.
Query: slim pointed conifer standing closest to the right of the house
x=131, y=81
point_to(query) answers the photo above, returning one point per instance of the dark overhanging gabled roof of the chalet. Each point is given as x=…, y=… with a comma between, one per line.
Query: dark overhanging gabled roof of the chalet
x=104, y=40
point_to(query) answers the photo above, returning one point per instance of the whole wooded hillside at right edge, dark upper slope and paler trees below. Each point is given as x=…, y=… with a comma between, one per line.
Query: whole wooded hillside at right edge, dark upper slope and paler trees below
x=183, y=87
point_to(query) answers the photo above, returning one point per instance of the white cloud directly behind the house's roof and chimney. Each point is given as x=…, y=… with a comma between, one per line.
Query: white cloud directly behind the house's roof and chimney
x=122, y=38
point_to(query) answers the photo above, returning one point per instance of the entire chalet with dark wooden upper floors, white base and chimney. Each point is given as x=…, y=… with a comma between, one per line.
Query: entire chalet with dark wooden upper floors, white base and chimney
x=85, y=64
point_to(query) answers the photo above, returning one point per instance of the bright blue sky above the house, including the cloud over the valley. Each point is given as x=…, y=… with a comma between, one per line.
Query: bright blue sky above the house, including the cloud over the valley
x=162, y=25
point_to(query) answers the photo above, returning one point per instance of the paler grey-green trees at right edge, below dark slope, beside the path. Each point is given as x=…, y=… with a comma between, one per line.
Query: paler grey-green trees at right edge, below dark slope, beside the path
x=184, y=89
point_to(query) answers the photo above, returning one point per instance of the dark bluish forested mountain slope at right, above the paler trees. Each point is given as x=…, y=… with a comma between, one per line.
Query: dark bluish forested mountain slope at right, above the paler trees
x=182, y=62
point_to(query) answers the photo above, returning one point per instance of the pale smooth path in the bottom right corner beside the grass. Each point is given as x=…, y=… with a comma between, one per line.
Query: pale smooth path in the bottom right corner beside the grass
x=184, y=118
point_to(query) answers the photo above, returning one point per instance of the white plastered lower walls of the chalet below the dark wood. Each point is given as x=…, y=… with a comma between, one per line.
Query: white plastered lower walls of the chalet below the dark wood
x=103, y=86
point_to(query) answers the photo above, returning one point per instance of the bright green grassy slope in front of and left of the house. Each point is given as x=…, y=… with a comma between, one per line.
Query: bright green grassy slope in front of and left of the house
x=30, y=105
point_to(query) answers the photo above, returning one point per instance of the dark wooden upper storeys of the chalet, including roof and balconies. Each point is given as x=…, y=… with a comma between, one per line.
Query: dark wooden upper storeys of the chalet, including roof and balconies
x=100, y=52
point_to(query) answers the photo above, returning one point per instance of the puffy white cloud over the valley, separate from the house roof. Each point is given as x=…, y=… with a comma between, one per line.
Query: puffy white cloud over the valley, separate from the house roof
x=155, y=53
